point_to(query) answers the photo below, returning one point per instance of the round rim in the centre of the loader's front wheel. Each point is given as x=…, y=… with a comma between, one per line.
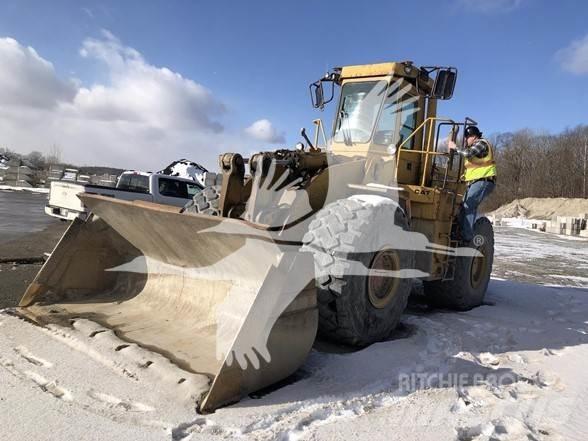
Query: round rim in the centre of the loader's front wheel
x=382, y=288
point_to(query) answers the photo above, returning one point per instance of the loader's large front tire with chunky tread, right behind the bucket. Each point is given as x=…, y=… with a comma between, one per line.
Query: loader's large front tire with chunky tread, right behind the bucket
x=346, y=310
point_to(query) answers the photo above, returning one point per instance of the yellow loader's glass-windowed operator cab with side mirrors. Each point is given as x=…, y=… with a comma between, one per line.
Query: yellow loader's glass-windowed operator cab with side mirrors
x=381, y=110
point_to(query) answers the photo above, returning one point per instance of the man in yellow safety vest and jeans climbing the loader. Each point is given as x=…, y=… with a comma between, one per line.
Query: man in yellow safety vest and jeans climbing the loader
x=480, y=175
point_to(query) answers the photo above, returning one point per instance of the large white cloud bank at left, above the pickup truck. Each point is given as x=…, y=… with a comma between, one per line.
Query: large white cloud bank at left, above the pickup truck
x=144, y=116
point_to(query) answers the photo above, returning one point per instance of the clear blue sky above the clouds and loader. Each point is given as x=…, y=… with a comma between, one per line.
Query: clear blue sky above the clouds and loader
x=257, y=57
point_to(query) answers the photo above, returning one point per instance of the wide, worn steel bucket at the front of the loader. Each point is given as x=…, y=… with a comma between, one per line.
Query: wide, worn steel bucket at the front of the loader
x=217, y=296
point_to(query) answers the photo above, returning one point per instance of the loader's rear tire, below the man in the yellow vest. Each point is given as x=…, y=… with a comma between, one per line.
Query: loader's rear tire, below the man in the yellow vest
x=471, y=277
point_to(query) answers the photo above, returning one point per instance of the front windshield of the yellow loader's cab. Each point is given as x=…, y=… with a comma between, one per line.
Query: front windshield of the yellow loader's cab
x=358, y=111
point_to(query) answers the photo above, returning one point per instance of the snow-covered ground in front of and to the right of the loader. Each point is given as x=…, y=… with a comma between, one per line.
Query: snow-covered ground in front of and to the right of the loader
x=511, y=369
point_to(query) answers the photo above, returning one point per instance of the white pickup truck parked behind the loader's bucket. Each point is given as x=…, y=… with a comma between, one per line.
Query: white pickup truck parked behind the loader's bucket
x=131, y=185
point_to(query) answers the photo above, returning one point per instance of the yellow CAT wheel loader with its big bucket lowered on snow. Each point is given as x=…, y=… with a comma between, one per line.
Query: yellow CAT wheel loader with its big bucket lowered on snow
x=325, y=239
